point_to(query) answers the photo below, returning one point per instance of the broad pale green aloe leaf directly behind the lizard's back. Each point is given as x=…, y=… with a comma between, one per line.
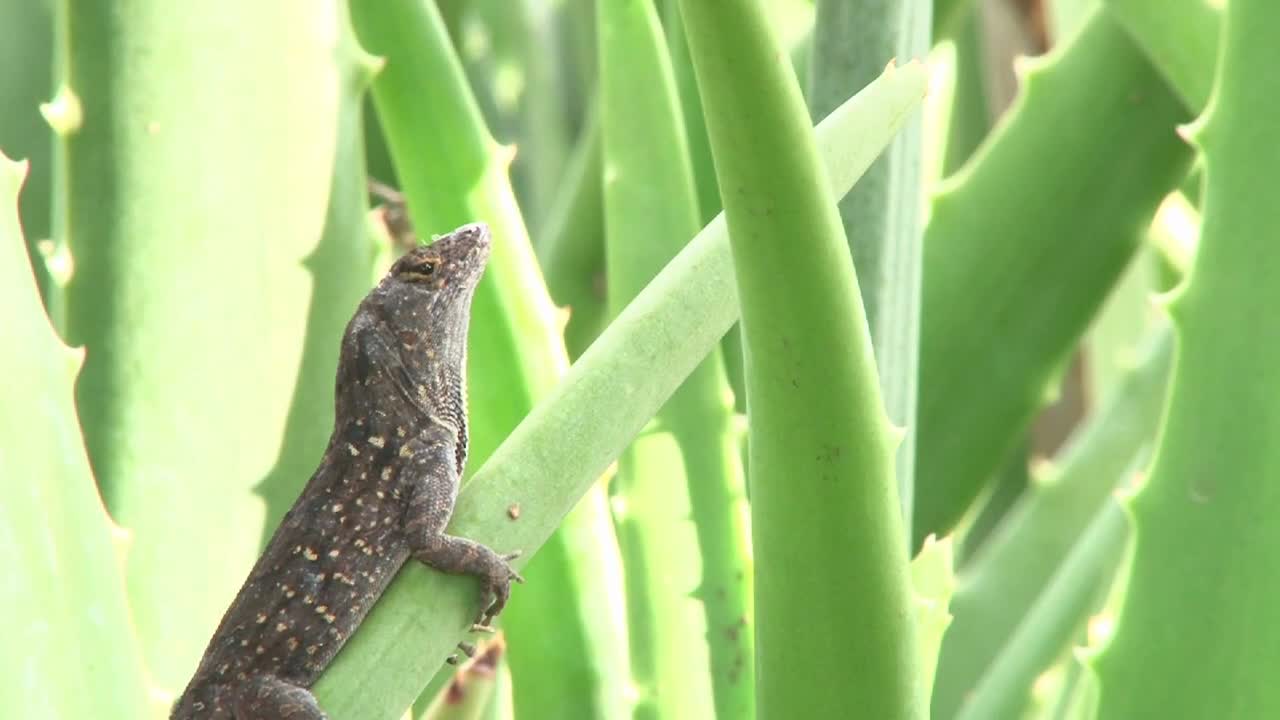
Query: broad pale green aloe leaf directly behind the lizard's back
x=191, y=290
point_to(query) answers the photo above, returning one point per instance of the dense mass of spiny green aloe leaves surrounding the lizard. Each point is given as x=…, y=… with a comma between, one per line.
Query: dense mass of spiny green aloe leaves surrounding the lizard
x=765, y=443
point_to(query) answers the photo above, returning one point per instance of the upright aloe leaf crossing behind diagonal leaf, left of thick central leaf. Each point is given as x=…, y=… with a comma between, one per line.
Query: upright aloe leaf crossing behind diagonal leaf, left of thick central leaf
x=651, y=211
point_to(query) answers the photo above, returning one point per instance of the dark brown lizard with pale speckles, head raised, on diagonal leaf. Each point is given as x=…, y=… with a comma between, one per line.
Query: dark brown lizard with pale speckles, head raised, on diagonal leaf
x=383, y=494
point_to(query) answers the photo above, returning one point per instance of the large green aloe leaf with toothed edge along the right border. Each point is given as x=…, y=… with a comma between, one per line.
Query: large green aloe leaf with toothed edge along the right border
x=1204, y=511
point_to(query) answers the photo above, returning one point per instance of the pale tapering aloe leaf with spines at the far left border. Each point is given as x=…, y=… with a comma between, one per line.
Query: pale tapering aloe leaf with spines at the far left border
x=72, y=651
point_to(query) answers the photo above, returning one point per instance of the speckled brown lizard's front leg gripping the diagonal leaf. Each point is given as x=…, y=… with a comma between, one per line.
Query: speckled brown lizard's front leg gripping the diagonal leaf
x=432, y=471
